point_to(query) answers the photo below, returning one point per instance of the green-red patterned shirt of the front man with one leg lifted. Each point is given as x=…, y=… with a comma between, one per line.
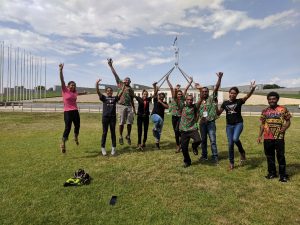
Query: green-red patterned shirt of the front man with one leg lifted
x=188, y=120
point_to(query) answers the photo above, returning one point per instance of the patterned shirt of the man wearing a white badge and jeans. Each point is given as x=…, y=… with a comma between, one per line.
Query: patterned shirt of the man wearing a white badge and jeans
x=208, y=108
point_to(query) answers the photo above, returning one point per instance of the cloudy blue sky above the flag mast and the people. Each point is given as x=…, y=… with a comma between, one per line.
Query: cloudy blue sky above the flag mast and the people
x=246, y=39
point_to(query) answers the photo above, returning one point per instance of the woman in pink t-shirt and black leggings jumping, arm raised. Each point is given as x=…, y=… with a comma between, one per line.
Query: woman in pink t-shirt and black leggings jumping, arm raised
x=71, y=114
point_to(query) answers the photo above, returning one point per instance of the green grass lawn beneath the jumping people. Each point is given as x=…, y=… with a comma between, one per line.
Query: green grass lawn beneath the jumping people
x=152, y=186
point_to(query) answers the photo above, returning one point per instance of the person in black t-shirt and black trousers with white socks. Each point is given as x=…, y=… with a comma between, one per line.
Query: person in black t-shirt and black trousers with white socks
x=108, y=116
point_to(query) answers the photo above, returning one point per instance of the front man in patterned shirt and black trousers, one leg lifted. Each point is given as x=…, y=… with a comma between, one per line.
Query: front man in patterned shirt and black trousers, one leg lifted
x=189, y=129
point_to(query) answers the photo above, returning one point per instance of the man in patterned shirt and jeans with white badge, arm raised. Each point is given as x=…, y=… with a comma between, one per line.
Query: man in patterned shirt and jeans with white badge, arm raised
x=208, y=115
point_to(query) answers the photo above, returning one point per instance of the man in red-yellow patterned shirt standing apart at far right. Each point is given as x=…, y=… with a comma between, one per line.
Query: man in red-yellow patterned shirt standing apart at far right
x=275, y=120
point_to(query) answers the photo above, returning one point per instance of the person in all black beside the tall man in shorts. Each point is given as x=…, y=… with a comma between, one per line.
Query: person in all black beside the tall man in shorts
x=143, y=117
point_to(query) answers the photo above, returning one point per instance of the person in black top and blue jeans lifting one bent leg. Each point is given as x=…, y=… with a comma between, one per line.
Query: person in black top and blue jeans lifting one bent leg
x=158, y=113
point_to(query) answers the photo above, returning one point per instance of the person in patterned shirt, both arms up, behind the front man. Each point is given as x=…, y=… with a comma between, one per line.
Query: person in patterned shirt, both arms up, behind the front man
x=178, y=98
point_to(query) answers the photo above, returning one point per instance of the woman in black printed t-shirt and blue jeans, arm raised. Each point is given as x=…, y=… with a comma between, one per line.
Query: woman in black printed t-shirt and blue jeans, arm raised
x=234, y=121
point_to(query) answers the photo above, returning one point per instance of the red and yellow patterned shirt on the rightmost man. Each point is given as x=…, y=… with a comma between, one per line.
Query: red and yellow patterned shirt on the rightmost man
x=273, y=120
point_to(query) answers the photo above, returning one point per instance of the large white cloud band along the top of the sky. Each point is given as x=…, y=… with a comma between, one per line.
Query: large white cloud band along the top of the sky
x=126, y=18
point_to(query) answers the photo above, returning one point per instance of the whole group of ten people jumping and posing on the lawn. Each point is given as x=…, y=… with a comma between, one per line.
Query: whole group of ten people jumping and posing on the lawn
x=188, y=117
